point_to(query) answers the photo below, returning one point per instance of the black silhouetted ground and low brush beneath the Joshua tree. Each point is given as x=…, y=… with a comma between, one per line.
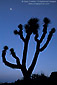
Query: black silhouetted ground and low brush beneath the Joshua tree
x=37, y=80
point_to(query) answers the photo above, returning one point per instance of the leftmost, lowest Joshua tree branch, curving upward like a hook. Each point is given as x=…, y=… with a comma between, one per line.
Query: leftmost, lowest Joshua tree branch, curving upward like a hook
x=6, y=62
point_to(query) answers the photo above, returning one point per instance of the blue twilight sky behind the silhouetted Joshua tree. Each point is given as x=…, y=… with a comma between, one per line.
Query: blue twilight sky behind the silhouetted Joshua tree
x=13, y=13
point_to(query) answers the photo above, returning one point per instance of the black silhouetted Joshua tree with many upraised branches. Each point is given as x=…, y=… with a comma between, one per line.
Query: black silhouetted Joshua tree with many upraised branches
x=31, y=27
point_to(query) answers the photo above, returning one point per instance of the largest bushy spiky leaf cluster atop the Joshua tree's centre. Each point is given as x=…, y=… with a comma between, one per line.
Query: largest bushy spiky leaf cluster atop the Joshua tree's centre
x=32, y=26
